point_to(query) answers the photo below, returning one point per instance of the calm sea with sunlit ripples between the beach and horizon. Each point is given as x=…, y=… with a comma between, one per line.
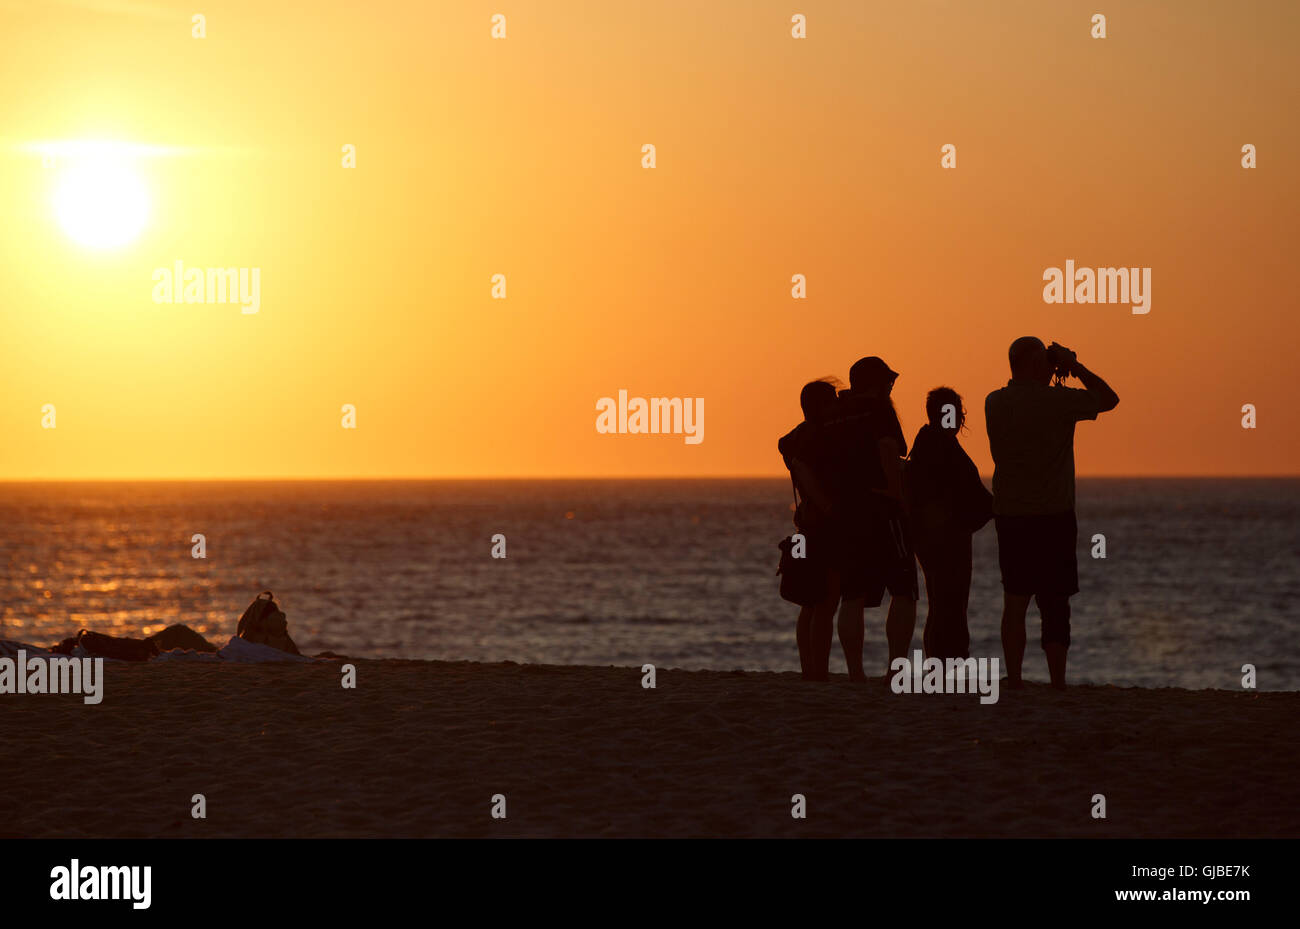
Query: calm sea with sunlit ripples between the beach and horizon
x=1201, y=576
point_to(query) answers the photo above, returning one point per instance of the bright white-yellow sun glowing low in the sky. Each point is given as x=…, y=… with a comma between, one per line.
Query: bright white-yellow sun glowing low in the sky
x=101, y=201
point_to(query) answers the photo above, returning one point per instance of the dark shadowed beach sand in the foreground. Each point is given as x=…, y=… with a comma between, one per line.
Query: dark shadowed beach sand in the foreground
x=421, y=748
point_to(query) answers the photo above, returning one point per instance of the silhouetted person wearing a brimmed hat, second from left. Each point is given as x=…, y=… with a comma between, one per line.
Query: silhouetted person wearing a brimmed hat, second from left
x=876, y=550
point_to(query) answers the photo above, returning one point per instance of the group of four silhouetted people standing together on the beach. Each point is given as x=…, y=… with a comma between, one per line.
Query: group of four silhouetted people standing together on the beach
x=869, y=509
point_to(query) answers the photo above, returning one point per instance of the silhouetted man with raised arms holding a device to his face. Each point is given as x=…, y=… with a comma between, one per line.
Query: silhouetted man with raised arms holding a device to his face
x=1032, y=436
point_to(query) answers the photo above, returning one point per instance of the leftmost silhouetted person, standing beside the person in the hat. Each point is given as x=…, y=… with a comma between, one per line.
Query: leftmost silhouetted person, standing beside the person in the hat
x=808, y=454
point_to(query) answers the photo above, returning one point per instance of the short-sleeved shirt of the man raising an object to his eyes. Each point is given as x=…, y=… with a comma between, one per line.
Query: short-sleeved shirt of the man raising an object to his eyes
x=1032, y=437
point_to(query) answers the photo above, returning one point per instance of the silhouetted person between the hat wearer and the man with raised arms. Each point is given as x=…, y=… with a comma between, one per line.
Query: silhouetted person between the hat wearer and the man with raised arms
x=947, y=502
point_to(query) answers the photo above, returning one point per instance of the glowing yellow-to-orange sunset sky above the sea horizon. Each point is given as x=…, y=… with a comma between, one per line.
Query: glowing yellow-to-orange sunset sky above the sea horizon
x=523, y=157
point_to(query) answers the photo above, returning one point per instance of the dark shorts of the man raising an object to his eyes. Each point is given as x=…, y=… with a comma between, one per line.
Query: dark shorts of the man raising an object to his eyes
x=1037, y=554
